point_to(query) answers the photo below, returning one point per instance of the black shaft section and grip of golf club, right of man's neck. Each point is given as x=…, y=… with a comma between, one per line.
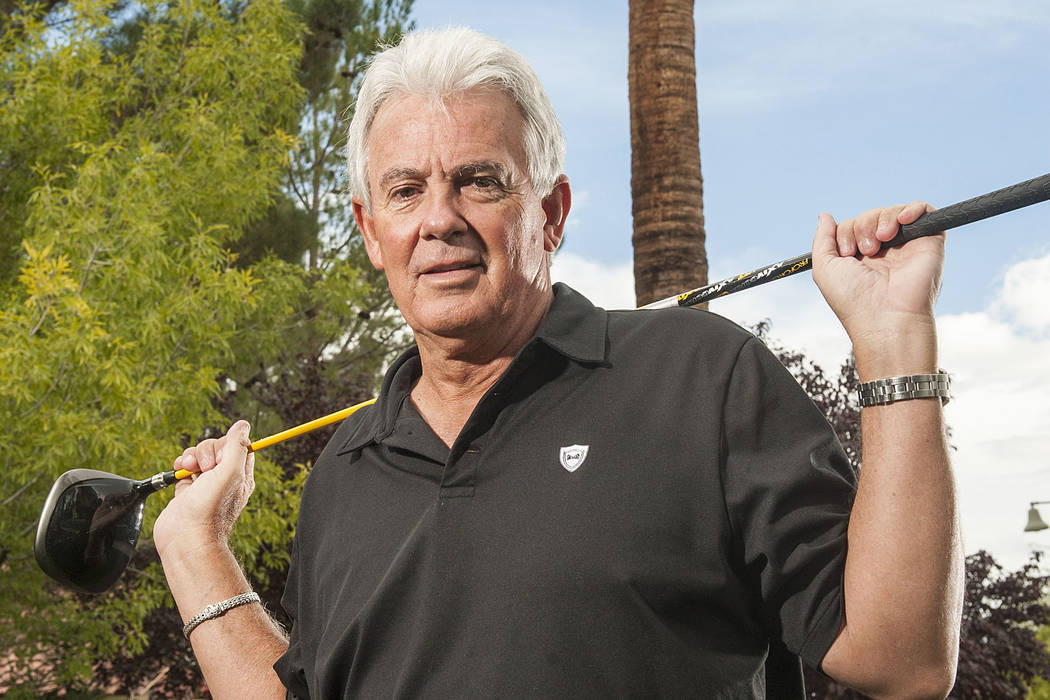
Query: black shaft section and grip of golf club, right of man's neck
x=985, y=206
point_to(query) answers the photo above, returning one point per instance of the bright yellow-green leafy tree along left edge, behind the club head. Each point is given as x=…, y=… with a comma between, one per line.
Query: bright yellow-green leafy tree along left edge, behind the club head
x=123, y=179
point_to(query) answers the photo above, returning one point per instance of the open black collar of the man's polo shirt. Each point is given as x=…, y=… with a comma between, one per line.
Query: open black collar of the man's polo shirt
x=574, y=327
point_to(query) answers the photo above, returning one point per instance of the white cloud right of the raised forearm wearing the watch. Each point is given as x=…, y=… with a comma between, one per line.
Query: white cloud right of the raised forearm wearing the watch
x=1000, y=417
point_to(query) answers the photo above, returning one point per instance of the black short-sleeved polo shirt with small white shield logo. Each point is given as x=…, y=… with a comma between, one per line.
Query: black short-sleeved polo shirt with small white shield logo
x=636, y=508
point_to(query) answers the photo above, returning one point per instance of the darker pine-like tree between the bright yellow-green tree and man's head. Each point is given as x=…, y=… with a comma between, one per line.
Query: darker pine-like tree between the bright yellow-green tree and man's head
x=347, y=327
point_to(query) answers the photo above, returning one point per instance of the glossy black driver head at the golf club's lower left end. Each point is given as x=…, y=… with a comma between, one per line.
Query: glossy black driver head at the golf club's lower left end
x=89, y=529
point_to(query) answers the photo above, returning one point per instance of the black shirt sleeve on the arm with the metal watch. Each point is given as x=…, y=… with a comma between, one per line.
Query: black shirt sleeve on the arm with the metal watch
x=789, y=491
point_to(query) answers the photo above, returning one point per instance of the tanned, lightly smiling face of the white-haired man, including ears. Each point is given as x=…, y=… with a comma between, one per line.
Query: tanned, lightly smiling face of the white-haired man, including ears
x=455, y=223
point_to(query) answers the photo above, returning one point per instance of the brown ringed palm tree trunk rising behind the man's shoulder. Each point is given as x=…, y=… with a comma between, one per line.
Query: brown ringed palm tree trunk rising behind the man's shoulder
x=667, y=189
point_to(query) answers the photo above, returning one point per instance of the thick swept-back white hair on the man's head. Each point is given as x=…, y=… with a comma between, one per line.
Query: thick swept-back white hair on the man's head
x=444, y=63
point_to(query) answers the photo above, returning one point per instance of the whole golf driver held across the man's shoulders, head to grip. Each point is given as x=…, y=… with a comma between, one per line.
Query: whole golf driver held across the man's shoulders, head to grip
x=91, y=522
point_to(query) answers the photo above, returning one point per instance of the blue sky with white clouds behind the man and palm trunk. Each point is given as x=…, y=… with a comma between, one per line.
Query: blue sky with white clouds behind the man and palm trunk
x=811, y=107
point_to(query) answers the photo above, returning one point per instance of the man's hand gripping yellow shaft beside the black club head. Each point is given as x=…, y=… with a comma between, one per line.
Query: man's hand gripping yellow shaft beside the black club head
x=207, y=504
